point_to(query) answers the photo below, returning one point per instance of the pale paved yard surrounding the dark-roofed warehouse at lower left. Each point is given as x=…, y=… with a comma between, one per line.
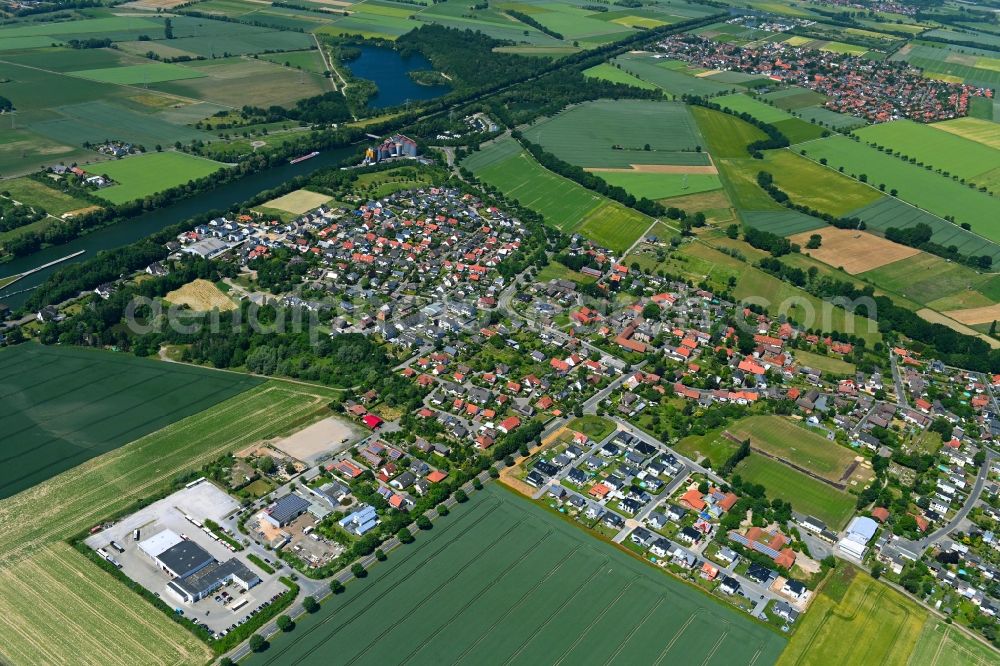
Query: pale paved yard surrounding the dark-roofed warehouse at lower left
x=223, y=608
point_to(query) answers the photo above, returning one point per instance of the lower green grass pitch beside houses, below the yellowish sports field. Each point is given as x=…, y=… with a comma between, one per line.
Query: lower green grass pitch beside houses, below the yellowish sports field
x=806, y=495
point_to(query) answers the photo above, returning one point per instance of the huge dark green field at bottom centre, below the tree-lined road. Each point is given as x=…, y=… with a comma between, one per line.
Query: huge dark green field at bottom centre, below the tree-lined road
x=541, y=592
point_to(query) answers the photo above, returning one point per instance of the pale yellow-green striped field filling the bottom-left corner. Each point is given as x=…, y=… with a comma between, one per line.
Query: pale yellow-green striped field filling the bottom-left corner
x=57, y=592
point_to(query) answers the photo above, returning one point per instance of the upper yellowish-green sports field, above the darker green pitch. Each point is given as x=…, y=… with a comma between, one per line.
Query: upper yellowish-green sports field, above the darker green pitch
x=786, y=440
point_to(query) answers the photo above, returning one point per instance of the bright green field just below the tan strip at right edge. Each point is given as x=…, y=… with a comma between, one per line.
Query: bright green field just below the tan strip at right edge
x=929, y=145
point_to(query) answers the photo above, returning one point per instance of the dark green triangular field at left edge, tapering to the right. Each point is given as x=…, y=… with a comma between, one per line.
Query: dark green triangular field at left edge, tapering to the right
x=66, y=405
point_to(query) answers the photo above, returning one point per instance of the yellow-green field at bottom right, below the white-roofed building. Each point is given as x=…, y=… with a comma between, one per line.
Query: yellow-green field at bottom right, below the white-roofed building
x=842, y=630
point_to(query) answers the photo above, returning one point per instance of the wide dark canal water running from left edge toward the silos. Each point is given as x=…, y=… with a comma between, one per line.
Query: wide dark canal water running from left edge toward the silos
x=136, y=228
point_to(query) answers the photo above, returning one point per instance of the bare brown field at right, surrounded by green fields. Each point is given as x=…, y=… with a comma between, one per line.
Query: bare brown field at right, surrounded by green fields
x=854, y=251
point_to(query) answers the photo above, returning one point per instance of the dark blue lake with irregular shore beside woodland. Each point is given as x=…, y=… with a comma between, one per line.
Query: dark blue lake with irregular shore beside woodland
x=390, y=72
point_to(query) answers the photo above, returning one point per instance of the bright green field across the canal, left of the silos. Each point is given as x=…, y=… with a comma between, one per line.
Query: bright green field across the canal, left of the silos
x=137, y=177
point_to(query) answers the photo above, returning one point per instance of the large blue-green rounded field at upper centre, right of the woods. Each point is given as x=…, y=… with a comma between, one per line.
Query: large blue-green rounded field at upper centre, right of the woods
x=585, y=134
